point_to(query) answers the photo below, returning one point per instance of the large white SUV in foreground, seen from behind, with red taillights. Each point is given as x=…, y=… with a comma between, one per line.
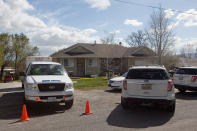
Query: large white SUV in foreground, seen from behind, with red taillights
x=148, y=85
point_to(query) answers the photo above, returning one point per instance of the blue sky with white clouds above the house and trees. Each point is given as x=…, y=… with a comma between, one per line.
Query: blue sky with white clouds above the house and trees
x=52, y=25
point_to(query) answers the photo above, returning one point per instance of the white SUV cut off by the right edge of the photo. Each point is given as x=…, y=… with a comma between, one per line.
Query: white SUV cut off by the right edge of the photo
x=185, y=78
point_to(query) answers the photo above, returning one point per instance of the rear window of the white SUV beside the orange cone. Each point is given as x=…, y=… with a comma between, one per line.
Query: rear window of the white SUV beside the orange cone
x=154, y=74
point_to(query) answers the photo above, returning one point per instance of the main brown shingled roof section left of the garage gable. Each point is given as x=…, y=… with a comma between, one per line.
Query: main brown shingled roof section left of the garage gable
x=98, y=50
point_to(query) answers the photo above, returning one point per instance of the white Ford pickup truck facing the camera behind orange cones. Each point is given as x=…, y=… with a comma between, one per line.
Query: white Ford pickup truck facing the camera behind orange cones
x=48, y=82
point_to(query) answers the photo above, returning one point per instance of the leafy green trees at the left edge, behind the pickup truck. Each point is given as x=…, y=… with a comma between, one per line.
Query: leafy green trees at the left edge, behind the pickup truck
x=14, y=49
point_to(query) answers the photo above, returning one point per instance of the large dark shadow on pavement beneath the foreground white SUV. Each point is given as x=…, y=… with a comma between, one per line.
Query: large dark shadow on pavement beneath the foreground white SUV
x=139, y=117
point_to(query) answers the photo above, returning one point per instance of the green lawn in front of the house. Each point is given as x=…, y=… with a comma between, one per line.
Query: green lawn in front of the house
x=83, y=83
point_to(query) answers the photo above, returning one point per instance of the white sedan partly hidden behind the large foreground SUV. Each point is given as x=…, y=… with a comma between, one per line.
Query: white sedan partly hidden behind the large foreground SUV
x=116, y=82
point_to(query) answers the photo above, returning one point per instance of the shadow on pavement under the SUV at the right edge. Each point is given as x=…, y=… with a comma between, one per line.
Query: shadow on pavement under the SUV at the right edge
x=186, y=95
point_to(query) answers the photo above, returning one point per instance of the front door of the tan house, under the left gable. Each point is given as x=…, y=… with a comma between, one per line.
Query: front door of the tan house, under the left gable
x=80, y=66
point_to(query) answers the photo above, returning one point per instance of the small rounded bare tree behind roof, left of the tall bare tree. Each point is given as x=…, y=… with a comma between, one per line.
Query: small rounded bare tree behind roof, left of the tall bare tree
x=137, y=39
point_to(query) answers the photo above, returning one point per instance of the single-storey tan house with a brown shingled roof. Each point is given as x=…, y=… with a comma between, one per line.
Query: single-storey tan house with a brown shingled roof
x=84, y=59
